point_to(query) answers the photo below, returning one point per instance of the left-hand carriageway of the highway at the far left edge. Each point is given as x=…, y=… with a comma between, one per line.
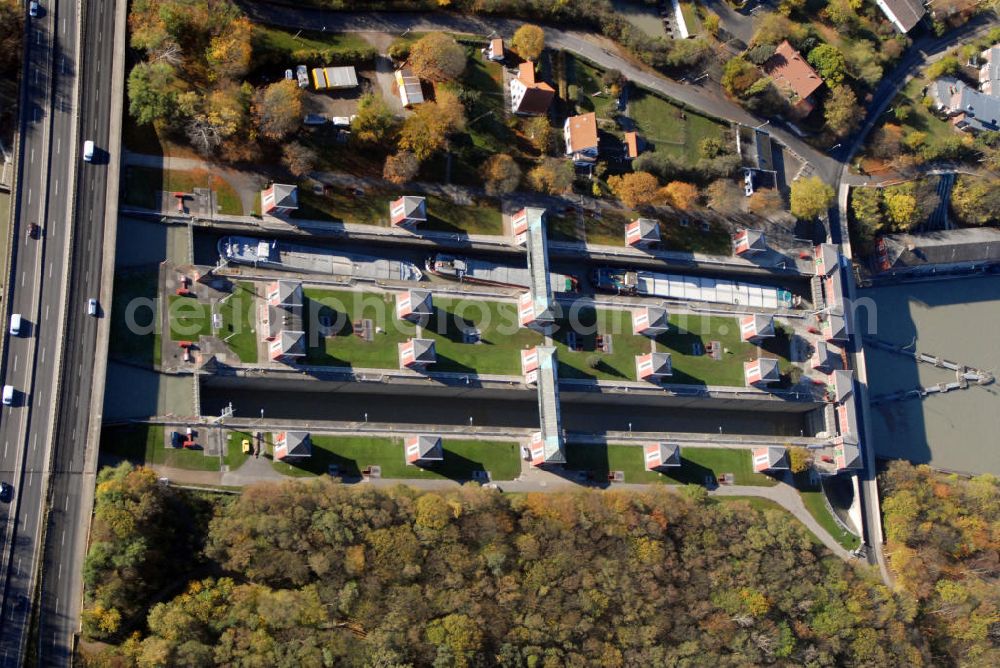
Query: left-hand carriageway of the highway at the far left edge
x=45, y=187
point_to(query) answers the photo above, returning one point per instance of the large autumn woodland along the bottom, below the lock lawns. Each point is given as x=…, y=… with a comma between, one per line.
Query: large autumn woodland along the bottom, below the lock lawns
x=321, y=574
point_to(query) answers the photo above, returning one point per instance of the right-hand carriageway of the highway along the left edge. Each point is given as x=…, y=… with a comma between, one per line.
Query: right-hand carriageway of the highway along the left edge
x=61, y=582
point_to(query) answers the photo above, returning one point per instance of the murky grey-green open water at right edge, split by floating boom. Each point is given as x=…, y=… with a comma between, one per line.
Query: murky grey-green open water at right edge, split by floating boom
x=958, y=320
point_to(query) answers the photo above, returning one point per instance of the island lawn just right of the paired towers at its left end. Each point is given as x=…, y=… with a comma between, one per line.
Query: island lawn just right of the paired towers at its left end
x=343, y=348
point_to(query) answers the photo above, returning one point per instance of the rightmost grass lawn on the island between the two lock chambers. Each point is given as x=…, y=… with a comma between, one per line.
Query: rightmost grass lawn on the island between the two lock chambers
x=688, y=331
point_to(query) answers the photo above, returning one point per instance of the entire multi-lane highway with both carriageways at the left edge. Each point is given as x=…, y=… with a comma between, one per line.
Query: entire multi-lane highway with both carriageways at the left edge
x=51, y=363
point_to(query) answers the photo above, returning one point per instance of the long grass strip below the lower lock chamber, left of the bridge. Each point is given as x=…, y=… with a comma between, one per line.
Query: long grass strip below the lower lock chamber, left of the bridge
x=351, y=454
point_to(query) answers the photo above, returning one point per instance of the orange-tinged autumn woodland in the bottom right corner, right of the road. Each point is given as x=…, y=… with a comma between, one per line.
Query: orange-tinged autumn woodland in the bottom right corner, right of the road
x=943, y=536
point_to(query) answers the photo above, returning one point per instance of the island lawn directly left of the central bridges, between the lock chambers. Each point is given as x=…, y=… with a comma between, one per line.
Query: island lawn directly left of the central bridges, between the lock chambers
x=501, y=338
